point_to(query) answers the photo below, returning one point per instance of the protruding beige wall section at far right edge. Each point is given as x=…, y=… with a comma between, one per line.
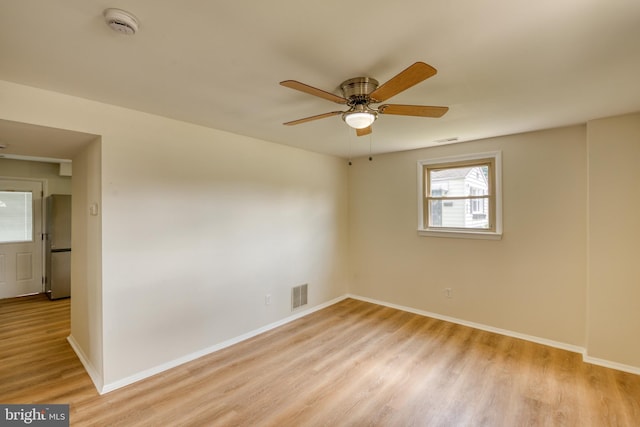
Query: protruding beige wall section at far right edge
x=614, y=239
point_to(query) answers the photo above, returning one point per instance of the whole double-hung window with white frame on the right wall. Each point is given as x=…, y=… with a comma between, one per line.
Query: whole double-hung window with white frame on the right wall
x=460, y=196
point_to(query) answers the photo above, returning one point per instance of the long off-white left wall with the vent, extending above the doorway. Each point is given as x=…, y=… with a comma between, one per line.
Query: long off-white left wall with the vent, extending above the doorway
x=197, y=227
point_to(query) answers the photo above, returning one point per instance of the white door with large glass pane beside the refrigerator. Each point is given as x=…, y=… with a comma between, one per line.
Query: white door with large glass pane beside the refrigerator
x=20, y=238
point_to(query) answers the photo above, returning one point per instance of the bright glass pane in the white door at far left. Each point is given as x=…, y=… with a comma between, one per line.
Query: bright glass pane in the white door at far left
x=16, y=216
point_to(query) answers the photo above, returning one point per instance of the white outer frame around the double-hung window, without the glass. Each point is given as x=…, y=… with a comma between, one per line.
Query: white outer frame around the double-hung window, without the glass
x=425, y=230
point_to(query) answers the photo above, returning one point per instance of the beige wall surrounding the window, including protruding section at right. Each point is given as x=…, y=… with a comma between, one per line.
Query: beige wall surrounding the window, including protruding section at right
x=566, y=267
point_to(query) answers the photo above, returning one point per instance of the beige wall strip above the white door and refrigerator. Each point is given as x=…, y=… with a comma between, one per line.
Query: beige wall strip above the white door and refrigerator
x=56, y=184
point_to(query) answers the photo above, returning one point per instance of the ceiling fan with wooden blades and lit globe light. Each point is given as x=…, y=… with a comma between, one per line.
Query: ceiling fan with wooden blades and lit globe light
x=360, y=92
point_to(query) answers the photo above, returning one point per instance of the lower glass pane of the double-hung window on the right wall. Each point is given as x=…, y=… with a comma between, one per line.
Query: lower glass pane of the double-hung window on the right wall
x=458, y=213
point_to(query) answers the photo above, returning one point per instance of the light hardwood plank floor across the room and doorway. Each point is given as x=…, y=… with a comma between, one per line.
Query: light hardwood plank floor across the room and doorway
x=352, y=364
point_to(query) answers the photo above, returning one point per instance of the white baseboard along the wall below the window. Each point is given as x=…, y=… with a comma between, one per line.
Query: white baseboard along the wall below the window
x=480, y=326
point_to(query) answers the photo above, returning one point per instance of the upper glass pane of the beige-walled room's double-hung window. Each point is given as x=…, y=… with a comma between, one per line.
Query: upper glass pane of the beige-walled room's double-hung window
x=459, y=182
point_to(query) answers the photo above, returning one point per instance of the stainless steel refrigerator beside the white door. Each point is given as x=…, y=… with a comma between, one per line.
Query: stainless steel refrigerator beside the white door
x=58, y=246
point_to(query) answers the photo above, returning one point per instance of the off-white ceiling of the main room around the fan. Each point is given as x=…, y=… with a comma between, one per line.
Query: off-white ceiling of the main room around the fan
x=504, y=66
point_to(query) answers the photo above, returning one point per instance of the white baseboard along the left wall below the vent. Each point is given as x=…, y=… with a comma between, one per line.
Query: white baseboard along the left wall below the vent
x=190, y=357
